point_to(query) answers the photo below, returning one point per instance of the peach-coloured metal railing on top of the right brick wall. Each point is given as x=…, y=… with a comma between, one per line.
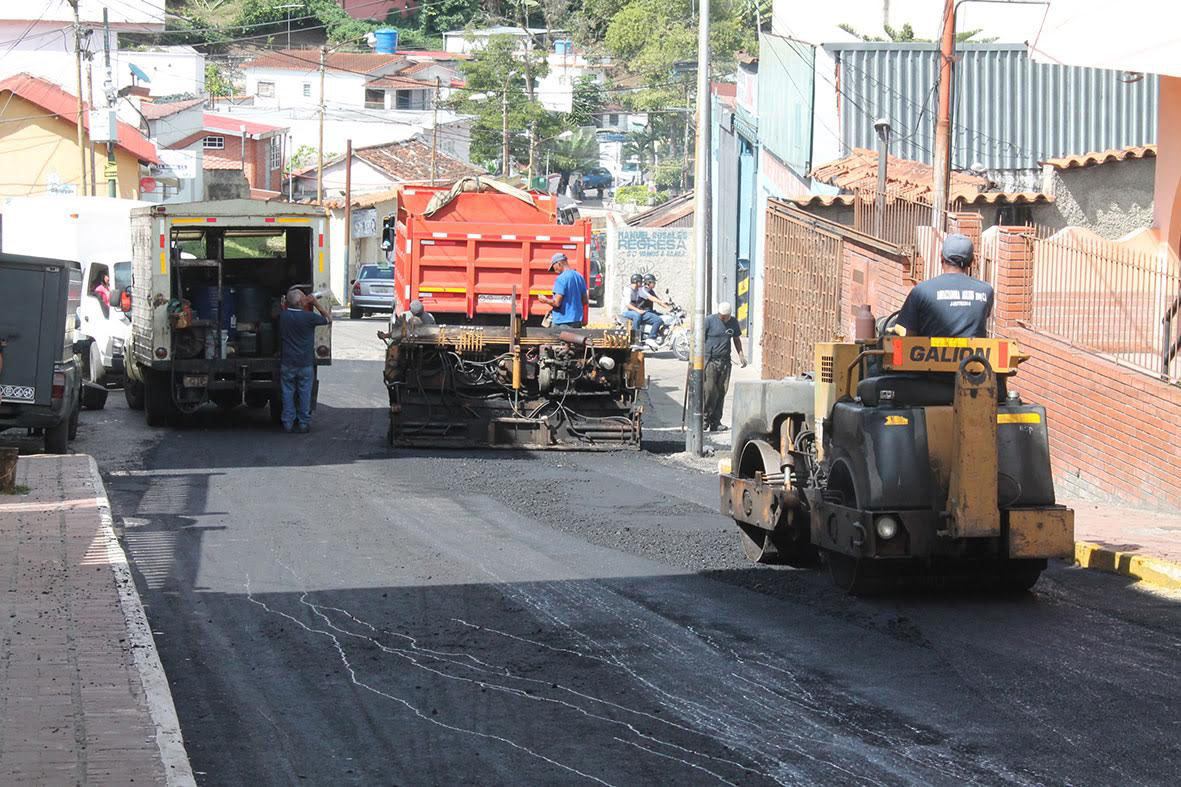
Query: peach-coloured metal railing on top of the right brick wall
x=1118, y=301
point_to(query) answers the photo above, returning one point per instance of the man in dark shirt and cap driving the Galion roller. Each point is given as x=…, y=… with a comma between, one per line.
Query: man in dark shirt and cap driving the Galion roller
x=952, y=304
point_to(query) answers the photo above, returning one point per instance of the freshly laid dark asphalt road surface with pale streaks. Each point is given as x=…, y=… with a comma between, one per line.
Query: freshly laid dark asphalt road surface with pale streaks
x=335, y=613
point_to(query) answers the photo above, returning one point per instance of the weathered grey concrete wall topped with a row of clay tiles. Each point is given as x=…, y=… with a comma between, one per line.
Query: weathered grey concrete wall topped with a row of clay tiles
x=1112, y=199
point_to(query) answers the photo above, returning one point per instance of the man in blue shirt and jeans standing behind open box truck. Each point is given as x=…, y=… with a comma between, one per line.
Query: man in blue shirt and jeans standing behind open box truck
x=297, y=361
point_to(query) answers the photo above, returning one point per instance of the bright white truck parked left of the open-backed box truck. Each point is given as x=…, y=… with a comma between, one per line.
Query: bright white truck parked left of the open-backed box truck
x=95, y=232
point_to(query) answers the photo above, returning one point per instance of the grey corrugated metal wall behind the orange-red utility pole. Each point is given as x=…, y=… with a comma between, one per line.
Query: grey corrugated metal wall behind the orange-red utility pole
x=1009, y=113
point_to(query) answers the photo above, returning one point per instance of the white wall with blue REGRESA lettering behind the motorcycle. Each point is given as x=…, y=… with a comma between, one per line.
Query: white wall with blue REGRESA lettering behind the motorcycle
x=665, y=252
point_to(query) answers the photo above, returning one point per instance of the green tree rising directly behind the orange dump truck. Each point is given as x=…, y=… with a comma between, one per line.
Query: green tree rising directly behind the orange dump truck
x=495, y=88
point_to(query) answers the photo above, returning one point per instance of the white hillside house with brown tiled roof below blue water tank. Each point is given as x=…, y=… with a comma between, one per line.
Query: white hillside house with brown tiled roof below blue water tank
x=291, y=79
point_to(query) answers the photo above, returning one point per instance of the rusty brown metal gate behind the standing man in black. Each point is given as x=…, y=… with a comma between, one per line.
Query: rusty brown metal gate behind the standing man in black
x=802, y=292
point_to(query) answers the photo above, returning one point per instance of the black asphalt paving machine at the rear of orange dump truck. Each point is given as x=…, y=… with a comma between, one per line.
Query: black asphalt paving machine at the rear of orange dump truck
x=512, y=387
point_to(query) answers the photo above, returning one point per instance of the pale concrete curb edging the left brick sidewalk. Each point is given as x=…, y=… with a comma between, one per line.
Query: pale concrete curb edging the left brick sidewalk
x=173, y=755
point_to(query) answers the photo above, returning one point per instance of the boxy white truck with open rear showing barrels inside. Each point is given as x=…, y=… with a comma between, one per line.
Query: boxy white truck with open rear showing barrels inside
x=207, y=287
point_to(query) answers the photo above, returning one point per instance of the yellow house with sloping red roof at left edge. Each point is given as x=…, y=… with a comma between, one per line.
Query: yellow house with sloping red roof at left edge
x=40, y=145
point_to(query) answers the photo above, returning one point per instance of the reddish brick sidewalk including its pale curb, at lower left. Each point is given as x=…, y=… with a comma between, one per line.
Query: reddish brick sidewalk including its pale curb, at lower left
x=76, y=652
